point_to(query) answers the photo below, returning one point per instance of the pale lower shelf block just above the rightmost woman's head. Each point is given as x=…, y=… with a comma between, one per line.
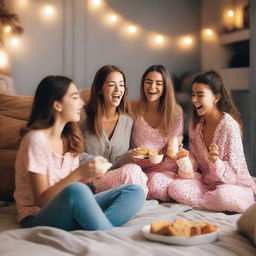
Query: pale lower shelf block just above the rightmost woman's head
x=236, y=79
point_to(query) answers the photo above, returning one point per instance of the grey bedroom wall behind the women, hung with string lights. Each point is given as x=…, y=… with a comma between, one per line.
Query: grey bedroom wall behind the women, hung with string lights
x=76, y=42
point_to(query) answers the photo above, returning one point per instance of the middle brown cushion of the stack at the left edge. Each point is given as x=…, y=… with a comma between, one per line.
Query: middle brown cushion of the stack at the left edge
x=9, y=131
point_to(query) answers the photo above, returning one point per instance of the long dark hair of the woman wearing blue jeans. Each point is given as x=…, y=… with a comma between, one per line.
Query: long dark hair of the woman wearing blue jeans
x=49, y=90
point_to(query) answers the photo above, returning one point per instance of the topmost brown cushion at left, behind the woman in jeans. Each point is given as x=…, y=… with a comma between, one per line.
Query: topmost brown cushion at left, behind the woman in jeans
x=15, y=106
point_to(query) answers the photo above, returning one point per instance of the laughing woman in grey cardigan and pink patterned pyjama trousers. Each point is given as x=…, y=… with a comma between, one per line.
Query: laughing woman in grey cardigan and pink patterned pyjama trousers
x=107, y=129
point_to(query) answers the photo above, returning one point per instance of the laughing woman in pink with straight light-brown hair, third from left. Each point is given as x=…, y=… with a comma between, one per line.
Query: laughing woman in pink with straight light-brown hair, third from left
x=158, y=116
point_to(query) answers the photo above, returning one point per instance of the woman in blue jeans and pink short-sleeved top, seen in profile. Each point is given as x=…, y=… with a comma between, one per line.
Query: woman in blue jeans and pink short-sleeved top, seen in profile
x=48, y=188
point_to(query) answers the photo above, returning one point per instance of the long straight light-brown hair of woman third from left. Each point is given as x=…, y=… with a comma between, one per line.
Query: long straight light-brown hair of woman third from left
x=168, y=107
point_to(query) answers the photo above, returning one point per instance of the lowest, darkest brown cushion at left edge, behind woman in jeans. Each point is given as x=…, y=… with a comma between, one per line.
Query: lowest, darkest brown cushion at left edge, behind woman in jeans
x=7, y=174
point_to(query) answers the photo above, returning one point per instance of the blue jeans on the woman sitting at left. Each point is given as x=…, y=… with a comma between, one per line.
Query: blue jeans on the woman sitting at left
x=76, y=207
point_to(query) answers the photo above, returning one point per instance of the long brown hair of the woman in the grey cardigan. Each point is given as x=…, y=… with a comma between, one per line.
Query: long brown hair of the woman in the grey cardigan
x=95, y=108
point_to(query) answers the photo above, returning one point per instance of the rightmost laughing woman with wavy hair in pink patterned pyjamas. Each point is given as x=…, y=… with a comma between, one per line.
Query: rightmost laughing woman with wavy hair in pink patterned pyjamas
x=216, y=144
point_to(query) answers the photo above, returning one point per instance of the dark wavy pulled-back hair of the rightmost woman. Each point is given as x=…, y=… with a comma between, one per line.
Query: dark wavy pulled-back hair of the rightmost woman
x=225, y=104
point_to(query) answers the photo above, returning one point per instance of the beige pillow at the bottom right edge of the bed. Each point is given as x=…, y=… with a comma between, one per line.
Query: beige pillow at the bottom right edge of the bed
x=247, y=223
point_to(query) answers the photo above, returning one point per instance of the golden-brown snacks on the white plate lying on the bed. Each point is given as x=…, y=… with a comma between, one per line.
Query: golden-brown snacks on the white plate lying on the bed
x=181, y=227
